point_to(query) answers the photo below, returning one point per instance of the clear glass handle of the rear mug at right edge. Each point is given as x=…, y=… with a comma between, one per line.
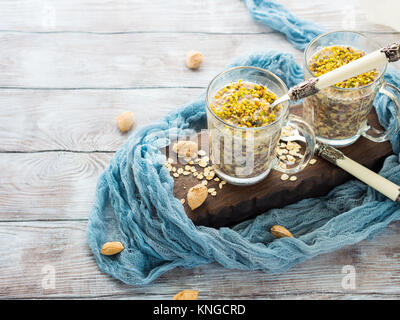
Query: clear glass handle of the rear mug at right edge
x=388, y=134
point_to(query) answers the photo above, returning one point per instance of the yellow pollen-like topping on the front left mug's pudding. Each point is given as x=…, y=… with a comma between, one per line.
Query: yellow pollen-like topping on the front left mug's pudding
x=245, y=104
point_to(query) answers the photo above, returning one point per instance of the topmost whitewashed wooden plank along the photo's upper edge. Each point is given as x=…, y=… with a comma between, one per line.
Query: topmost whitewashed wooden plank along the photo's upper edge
x=169, y=16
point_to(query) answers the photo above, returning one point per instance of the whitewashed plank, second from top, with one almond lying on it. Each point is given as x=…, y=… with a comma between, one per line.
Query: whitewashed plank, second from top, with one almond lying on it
x=126, y=60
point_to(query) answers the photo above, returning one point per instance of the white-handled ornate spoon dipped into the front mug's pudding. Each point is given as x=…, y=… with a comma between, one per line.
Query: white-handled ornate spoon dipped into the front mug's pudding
x=390, y=53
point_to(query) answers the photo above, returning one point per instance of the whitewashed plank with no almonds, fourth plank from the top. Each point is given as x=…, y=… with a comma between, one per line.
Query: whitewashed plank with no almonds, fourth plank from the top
x=49, y=185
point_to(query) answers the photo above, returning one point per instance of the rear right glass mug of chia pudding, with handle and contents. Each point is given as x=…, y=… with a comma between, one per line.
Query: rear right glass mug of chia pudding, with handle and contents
x=339, y=114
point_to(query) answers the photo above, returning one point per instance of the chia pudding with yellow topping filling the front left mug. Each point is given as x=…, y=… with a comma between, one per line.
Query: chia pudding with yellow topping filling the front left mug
x=243, y=136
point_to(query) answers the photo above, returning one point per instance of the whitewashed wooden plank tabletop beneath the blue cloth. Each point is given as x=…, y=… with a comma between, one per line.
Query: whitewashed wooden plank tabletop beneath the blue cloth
x=67, y=69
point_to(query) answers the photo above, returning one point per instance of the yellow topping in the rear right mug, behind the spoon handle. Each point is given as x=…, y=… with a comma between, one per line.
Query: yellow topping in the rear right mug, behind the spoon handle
x=334, y=57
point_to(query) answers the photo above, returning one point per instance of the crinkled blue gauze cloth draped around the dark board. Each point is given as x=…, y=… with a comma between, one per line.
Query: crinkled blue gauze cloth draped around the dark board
x=134, y=200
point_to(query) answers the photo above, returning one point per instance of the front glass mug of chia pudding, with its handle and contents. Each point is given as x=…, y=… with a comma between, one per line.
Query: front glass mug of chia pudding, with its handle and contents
x=245, y=131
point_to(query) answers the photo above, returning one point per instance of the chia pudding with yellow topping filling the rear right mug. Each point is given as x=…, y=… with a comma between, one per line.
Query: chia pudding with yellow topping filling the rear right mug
x=339, y=112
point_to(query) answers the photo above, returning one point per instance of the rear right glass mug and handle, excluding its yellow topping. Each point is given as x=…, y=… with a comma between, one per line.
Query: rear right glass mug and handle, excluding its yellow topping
x=339, y=115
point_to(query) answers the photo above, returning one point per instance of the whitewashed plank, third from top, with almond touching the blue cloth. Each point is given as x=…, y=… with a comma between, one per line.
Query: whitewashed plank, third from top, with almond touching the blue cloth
x=80, y=120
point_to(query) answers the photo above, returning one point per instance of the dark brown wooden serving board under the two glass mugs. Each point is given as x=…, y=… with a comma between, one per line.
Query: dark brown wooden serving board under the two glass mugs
x=234, y=204
